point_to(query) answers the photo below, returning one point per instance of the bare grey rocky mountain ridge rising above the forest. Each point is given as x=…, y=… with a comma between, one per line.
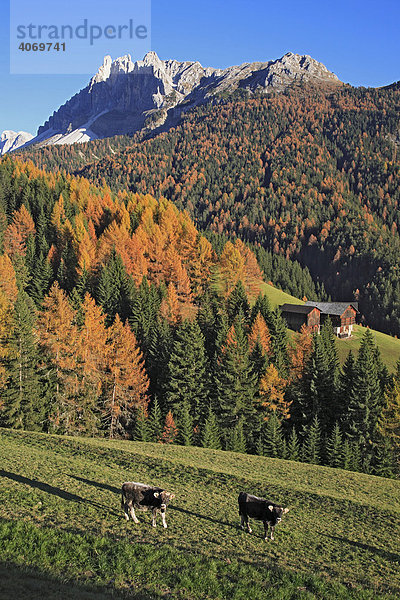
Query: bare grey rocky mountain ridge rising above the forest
x=124, y=97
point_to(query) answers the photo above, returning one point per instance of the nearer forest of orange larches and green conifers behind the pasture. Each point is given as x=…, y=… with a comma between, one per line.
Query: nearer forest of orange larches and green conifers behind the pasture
x=117, y=318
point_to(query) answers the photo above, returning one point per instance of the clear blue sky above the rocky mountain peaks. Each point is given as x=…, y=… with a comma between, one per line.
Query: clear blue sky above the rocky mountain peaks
x=357, y=40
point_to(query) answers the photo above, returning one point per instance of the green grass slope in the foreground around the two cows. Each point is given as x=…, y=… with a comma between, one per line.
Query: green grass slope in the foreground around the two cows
x=62, y=532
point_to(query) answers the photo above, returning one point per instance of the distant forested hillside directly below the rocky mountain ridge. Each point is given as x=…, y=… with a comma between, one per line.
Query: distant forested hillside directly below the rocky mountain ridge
x=307, y=174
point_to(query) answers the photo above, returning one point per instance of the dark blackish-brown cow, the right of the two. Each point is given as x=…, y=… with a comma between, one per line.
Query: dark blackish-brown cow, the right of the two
x=260, y=509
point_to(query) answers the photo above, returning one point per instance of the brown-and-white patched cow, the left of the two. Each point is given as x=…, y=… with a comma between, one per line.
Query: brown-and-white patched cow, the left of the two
x=140, y=496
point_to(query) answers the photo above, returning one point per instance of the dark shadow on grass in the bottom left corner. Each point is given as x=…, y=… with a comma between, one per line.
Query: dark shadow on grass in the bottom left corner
x=35, y=584
